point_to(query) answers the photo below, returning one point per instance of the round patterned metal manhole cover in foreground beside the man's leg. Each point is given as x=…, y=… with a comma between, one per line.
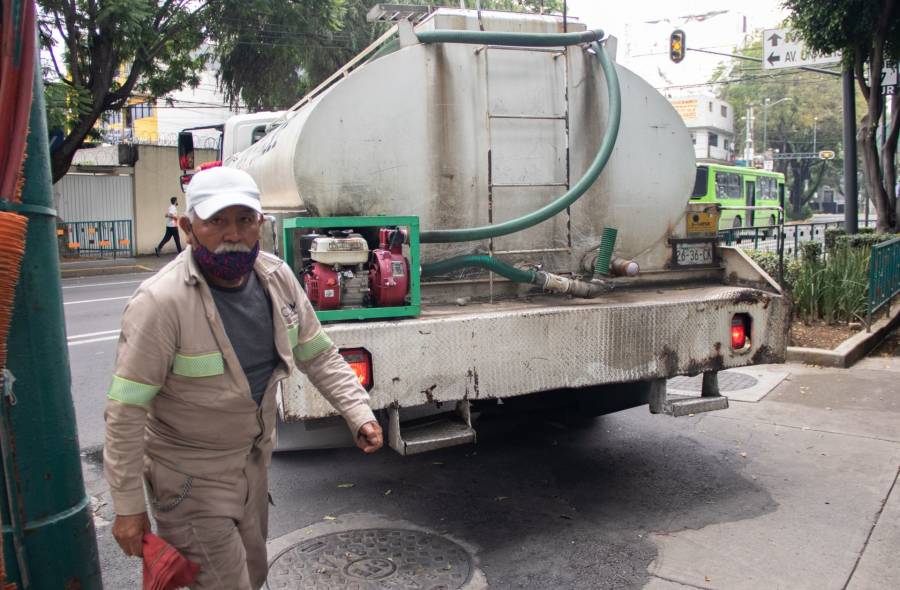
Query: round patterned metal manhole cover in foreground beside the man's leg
x=371, y=559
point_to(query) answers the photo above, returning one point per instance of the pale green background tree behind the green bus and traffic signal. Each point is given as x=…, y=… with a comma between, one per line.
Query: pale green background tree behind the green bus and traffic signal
x=802, y=116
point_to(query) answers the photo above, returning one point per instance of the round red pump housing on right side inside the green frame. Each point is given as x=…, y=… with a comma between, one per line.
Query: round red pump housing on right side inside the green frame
x=389, y=269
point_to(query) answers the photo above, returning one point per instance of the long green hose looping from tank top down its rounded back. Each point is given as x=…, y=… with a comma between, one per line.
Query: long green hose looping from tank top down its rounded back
x=590, y=176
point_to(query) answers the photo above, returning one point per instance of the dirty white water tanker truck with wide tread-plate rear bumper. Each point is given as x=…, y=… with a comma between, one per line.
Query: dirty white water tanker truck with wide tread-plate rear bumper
x=490, y=215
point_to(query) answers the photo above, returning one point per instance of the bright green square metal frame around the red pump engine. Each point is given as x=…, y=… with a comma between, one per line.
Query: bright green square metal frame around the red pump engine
x=292, y=224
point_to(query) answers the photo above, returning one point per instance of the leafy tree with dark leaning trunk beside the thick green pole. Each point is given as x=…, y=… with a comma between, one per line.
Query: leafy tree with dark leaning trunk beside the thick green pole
x=104, y=51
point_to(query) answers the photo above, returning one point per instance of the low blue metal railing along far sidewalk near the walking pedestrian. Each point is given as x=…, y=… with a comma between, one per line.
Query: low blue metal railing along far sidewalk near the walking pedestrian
x=97, y=239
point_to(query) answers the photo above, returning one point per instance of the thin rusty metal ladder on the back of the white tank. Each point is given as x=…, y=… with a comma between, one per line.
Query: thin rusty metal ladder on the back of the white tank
x=558, y=52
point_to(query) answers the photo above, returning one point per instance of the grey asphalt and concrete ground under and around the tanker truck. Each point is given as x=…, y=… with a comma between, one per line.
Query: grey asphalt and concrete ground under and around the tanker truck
x=795, y=491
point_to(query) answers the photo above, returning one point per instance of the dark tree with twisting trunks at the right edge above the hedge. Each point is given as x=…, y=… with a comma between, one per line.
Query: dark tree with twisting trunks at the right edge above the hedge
x=867, y=32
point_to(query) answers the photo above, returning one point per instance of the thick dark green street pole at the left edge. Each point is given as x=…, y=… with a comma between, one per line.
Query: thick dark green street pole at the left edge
x=48, y=532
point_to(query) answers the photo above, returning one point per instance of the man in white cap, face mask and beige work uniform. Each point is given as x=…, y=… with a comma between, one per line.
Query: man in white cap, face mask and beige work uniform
x=191, y=408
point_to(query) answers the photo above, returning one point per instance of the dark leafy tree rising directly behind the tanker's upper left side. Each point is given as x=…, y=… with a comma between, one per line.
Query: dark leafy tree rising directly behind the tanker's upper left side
x=302, y=43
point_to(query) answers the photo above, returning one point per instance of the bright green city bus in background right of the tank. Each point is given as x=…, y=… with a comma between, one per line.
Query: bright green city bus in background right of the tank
x=739, y=186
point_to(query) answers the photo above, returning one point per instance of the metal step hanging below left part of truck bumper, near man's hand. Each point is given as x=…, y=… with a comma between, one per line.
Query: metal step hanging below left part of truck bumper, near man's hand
x=430, y=433
